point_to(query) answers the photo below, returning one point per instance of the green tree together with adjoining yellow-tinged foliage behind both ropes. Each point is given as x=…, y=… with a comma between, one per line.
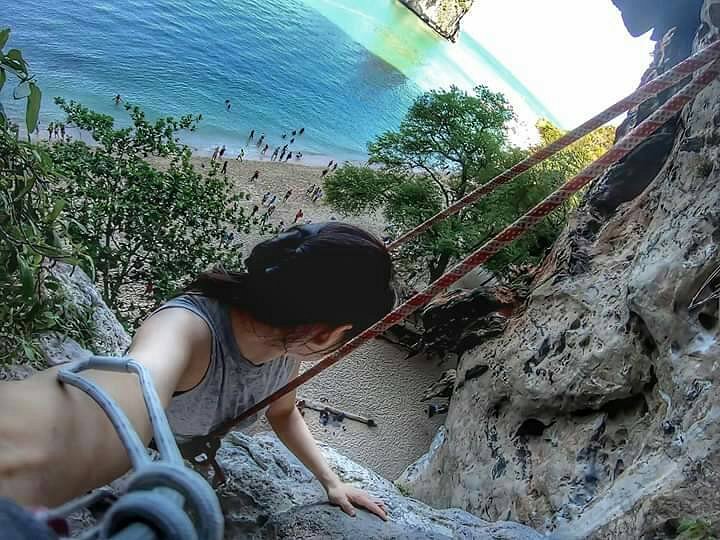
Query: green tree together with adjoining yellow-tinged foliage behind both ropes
x=449, y=143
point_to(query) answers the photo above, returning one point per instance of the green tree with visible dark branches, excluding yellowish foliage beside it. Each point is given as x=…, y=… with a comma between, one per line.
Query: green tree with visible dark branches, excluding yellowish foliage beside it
x=449, y=142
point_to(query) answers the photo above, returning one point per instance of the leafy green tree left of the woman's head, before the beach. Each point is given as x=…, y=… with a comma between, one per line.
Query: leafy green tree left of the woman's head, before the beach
x=147, y=217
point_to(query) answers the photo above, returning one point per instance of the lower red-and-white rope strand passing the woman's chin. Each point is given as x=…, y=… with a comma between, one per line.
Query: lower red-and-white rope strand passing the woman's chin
x=526, y=222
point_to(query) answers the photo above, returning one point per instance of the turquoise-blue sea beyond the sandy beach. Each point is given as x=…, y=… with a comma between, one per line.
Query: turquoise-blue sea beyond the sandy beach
x=345, y=70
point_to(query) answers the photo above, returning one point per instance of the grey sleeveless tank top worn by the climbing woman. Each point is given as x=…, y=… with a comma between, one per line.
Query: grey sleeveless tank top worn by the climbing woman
x=231, y=385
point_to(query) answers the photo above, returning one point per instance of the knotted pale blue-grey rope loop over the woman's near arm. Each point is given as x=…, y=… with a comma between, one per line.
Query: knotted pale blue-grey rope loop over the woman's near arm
x=161, y=495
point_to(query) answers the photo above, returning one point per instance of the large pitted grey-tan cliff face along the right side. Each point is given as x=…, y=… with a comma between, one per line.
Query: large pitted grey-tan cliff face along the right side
x=596, y=413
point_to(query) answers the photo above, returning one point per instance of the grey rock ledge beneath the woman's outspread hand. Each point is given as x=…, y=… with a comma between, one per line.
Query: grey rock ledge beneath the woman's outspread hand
x=270, y=495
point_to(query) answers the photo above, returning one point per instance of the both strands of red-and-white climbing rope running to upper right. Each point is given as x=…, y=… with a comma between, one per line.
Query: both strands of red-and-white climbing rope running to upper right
x=622, y=148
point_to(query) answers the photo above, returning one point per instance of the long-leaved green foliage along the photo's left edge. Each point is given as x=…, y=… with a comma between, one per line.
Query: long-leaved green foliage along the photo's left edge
x=33, y=229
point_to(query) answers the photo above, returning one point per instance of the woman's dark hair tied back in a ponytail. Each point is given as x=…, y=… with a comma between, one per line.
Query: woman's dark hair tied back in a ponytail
x=331, y=273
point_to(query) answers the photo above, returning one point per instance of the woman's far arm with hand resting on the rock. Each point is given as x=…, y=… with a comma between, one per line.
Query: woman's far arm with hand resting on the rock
x=290, y=427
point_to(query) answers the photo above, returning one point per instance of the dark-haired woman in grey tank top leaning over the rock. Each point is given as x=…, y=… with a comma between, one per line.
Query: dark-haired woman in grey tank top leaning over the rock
x=230, y=339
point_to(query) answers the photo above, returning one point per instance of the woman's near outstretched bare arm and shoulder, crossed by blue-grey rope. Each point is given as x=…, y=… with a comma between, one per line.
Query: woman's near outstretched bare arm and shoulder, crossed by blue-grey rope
x=56, y=443
